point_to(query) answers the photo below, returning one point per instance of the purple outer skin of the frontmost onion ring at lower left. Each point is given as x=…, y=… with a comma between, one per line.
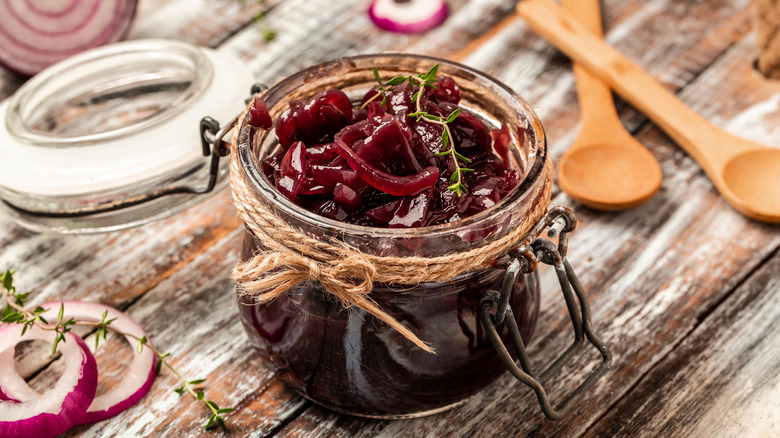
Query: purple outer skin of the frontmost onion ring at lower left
x=74, y=406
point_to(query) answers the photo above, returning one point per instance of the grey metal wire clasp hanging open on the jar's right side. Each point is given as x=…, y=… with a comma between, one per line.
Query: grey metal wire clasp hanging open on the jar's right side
x=532, y=249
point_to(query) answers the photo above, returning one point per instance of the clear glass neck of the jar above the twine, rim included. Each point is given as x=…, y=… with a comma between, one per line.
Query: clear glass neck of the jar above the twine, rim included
x=480, y=94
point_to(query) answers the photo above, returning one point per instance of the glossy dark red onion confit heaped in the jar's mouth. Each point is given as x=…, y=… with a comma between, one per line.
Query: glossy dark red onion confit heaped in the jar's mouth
x=379, y=163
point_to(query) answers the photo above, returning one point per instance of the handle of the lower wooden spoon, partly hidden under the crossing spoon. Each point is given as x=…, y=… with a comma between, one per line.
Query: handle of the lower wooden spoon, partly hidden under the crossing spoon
x=597, y=109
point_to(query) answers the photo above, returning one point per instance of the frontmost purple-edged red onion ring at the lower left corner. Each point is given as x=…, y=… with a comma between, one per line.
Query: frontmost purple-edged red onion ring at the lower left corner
x=57, y=410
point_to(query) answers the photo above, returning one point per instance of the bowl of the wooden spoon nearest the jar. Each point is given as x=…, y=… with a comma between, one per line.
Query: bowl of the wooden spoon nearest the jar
x=609, y=176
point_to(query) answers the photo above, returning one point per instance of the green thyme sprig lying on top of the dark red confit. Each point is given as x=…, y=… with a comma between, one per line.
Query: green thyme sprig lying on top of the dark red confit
x=427, y=80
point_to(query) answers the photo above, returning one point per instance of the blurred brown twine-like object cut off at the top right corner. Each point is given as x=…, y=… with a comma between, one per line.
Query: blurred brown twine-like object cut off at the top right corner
x=766, y=24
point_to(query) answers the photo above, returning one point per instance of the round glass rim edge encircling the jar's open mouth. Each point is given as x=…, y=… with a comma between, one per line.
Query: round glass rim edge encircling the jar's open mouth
x=255, y=175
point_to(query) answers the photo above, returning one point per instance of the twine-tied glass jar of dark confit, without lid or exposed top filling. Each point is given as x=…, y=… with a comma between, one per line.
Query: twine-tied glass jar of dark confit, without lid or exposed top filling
x=360, y=353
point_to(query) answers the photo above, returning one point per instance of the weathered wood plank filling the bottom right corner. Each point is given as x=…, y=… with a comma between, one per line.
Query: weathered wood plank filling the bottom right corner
x=721, y=381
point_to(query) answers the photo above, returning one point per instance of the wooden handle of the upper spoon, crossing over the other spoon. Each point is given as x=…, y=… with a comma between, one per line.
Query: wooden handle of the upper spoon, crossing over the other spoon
x=685, y=126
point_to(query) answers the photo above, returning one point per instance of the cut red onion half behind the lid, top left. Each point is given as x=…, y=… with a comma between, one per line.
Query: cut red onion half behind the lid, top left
x=35, y=34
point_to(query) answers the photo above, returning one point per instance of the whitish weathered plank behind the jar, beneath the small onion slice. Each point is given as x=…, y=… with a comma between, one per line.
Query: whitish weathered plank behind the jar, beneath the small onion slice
x=315, y=31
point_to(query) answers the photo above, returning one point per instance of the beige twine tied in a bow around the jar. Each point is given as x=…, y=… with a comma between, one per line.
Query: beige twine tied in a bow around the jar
x=289, y=257
